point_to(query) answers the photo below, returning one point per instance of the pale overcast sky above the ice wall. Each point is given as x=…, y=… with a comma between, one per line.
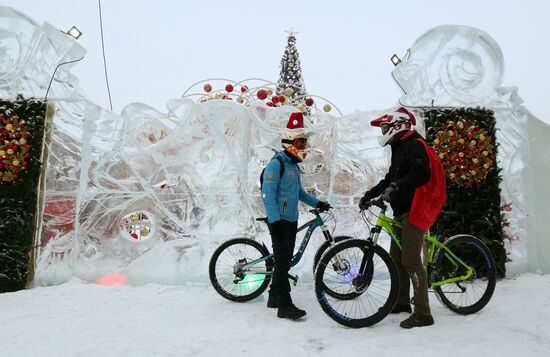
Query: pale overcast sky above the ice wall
x=156, y=49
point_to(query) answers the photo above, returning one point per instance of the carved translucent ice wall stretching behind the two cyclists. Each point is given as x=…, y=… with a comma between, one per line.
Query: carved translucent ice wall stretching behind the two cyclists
x=150, y=195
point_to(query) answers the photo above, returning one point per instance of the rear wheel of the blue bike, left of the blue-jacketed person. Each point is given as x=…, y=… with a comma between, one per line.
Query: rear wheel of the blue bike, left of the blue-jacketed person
x=237, y=284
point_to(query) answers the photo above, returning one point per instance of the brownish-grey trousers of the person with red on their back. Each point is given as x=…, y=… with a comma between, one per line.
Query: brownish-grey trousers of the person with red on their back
x=409, y=266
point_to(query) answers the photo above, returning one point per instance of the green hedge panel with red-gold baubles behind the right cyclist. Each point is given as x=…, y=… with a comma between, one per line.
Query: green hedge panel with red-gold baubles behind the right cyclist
x=475, y=199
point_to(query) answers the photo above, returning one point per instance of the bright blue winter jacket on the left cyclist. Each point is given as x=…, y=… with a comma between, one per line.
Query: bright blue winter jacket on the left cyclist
x=281, y=194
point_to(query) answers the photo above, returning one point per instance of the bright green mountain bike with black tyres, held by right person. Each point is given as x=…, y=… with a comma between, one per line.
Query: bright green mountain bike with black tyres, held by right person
x=356, y=280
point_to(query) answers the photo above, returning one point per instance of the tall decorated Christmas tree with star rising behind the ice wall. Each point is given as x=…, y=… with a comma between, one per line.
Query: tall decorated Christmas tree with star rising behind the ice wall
x=291, y=82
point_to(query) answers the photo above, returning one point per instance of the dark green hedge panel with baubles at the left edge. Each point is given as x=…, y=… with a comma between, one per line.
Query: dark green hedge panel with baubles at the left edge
x=21, y=119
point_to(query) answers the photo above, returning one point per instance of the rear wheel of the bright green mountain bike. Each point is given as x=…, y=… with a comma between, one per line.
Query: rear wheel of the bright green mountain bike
x=469, y=295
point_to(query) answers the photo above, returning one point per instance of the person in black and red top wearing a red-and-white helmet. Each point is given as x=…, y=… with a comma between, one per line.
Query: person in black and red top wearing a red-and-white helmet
x=407, y=186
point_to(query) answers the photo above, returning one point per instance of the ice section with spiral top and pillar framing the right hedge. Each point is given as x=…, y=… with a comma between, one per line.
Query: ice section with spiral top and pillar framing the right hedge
x=463, y=66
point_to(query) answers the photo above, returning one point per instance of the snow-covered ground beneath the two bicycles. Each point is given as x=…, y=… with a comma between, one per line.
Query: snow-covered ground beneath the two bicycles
x=80, y=319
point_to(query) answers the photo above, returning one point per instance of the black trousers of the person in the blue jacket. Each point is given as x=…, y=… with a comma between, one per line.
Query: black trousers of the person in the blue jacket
x=283, y=249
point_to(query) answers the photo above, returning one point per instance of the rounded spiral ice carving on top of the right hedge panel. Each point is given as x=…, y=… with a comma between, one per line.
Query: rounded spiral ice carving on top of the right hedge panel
x=451, y=65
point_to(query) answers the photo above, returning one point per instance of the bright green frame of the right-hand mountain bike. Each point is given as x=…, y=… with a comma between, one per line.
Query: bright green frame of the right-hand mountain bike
x=388, y=224
